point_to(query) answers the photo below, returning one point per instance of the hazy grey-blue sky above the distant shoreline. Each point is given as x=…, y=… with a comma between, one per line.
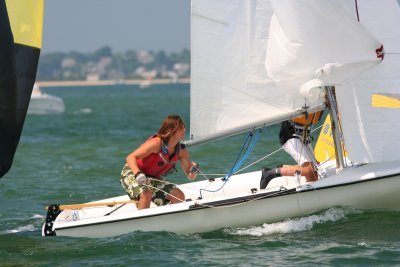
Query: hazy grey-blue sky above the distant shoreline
x=87, y=25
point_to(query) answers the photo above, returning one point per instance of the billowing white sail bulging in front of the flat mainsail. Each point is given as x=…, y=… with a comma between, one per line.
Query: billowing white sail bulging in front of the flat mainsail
x=316, y=43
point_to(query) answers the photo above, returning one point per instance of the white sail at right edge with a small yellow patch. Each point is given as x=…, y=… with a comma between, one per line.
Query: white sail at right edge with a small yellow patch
x=369, y=107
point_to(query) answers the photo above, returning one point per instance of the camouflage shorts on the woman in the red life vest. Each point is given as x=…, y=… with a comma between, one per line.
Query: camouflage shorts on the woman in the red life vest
x=128, y=182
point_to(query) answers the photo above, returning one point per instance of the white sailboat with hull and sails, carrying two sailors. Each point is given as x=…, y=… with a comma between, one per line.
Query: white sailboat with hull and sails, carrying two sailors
x=255, y=64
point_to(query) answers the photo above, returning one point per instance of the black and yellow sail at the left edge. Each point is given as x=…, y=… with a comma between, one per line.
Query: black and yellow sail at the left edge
x=21, y=24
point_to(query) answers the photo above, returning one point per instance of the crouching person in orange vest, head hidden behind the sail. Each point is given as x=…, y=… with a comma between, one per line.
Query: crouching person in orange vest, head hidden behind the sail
x=295, y=139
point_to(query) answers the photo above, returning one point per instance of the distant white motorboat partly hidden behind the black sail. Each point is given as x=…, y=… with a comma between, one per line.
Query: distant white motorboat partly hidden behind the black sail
x=42, y=103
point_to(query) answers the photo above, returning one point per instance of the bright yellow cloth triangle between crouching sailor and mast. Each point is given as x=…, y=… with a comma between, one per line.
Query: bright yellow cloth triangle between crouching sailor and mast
x=325, y=149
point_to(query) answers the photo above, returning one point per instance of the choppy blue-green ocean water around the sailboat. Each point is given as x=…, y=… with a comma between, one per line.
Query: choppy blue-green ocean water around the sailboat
x=77, y=157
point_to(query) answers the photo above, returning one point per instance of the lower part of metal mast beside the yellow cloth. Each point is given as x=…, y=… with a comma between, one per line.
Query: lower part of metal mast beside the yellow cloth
x=335, y=127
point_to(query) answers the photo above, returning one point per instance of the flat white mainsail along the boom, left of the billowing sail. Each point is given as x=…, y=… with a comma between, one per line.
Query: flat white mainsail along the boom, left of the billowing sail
x=230, y=89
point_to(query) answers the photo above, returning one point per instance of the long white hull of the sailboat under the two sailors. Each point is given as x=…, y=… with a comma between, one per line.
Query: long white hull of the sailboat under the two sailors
x=374, y=186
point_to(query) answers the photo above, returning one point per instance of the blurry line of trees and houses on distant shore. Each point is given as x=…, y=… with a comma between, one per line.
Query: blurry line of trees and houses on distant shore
x=103, y=64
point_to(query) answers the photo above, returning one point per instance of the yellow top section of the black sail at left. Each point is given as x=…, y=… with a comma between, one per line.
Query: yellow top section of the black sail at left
x=26, y=18
